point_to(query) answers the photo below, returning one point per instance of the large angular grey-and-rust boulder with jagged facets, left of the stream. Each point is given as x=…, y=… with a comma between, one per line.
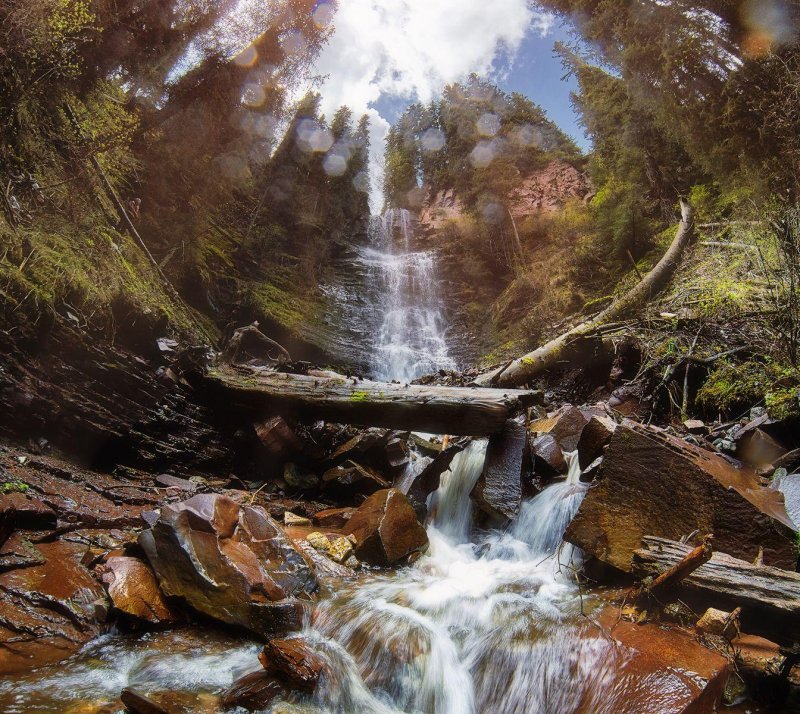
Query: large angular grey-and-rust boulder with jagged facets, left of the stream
x=230, y=562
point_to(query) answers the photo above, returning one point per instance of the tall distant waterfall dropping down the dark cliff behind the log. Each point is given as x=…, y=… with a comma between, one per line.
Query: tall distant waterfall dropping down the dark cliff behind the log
x=407, y=310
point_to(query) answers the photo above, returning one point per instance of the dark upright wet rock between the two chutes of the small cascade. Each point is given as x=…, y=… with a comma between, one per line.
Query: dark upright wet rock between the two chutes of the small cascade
x=498, y=491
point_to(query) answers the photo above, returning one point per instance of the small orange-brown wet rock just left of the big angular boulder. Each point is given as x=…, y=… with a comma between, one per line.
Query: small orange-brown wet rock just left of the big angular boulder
x=133, y=590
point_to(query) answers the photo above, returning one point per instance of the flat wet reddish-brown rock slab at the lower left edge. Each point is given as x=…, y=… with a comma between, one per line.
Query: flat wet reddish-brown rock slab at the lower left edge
x=46, y=610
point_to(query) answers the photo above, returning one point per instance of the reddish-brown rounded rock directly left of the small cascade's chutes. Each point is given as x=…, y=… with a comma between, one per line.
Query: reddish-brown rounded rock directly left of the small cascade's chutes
x=386, y=529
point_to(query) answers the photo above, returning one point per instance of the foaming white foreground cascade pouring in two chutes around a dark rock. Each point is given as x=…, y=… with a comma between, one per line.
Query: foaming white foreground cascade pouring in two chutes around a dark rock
x=490, y=625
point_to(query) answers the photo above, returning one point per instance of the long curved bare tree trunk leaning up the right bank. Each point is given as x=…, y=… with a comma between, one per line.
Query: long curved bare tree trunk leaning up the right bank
x=566, y=346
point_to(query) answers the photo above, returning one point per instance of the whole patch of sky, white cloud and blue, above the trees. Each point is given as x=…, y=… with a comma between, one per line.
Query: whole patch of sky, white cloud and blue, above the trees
x=383, y=55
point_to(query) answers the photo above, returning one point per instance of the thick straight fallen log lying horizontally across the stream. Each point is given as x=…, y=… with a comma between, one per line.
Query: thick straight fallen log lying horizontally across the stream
x=467, y=411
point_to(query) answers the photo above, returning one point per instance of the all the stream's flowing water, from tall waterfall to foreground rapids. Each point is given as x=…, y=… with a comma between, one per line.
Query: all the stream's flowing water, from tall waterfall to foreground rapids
x=486, y=621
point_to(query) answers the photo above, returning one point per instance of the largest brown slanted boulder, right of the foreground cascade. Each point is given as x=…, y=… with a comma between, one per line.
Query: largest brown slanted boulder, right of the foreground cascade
x=651, y=483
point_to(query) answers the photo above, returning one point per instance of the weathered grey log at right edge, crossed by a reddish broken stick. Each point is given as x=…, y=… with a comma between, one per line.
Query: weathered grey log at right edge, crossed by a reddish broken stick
x=757, y=586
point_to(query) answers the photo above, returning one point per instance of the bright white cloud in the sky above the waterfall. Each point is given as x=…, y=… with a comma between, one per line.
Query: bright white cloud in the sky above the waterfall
x=411, y=49
